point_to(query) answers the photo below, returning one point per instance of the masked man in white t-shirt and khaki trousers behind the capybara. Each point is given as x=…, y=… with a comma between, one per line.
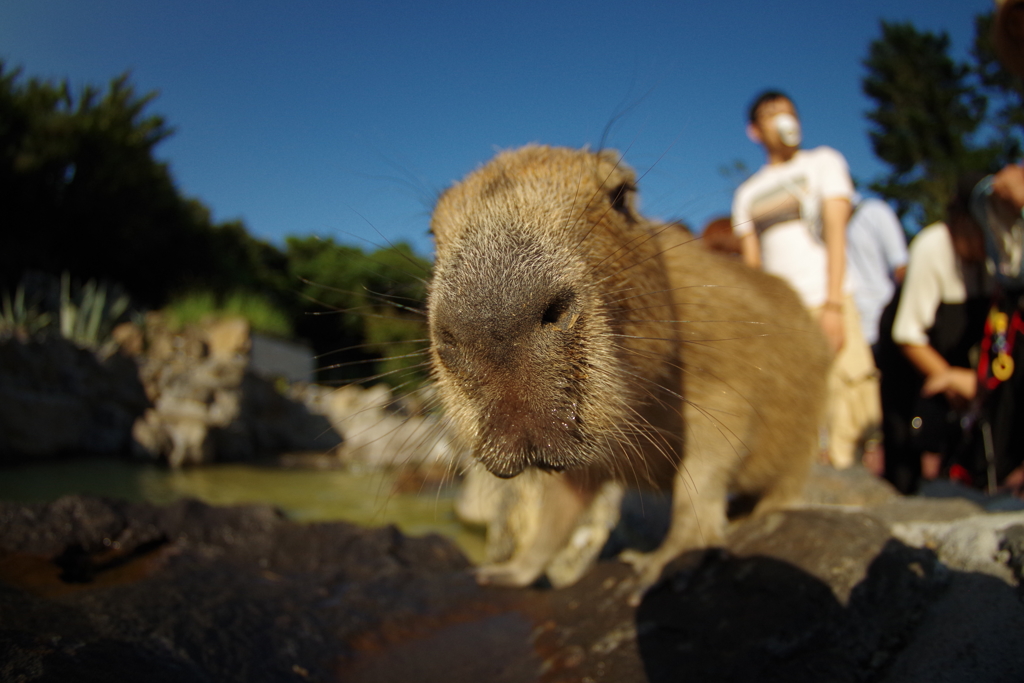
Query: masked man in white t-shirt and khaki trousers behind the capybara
x=791, y=218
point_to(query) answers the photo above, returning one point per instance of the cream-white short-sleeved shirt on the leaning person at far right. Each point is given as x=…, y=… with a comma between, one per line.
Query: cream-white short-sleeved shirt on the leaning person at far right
x=934, y=276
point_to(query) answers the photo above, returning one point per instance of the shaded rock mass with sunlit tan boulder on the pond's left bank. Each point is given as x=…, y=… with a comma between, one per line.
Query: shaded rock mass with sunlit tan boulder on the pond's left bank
x=191, y=398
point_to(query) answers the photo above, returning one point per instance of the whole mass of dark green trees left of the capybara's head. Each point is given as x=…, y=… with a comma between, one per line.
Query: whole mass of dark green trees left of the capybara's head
x=83, y=194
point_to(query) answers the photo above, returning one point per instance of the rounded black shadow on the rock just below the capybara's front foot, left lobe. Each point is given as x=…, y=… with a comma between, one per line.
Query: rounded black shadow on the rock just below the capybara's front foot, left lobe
x=737, y=619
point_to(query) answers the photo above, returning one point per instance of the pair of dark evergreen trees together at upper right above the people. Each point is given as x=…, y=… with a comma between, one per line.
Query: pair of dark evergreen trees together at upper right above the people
x=936, y=119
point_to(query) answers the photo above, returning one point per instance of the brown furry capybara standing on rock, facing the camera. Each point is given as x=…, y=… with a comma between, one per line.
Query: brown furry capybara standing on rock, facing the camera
x=570, y=334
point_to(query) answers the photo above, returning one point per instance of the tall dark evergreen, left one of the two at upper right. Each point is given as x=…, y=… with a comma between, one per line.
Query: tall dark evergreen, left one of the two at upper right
x=925, y=119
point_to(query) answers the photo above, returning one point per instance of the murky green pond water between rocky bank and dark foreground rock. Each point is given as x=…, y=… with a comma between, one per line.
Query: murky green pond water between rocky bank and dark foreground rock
x=304, y=495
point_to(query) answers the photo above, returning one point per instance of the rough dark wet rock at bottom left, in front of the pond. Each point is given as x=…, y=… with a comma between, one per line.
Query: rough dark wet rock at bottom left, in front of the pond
x=195, y=592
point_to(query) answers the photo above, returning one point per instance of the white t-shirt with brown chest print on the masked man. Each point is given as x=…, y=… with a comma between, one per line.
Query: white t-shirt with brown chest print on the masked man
x=782, y=203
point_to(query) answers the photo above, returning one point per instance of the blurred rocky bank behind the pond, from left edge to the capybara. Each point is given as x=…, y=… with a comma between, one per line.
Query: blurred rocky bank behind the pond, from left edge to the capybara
x=195, y=397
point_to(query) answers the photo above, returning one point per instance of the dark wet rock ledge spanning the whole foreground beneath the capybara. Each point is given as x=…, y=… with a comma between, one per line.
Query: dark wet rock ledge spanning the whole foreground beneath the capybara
x=101, y=590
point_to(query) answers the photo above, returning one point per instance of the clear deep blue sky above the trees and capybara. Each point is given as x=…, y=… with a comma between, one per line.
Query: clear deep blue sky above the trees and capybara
x=345, y=118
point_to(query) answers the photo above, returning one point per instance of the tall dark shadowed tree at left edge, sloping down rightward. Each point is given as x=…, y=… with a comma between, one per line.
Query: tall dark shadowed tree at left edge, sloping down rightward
x=84, y=194
